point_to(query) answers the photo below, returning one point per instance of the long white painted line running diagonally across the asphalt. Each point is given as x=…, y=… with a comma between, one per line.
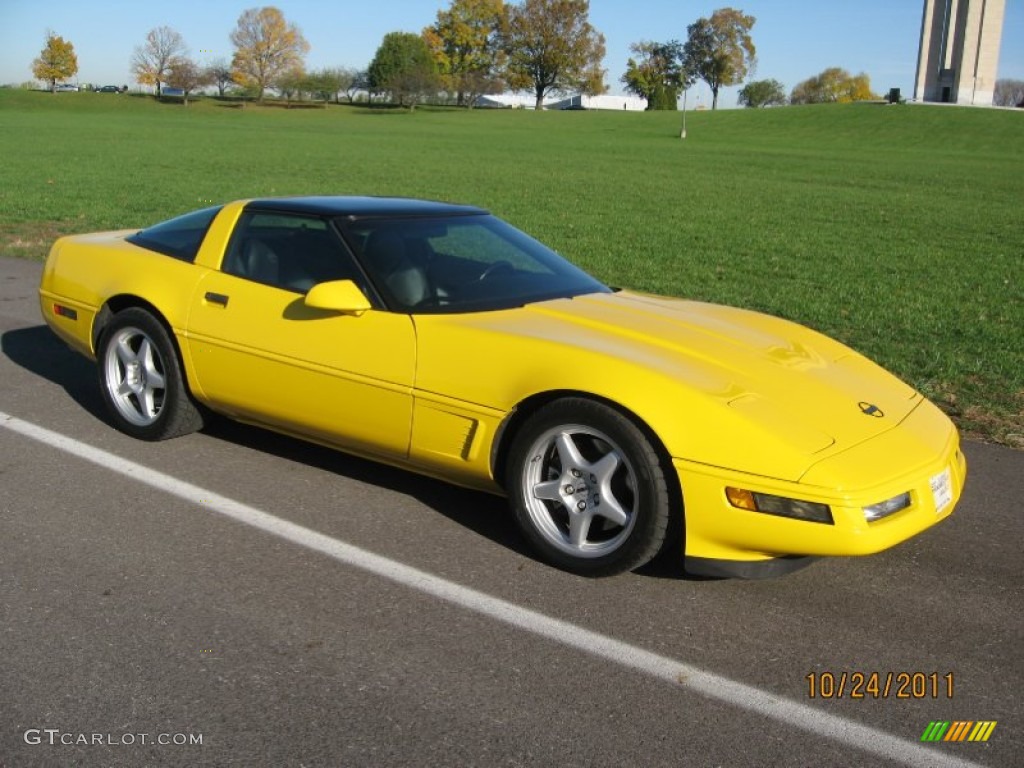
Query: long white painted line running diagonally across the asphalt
x=668, y=670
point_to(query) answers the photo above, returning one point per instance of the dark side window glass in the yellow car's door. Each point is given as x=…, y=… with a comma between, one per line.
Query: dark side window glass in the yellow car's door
x=289, y=251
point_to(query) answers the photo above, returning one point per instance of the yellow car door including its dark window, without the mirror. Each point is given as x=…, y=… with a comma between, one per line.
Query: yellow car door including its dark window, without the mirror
x=260, y=354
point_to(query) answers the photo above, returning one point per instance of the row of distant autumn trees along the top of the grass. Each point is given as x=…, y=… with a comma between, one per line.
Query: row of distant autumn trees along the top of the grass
x=477, y=48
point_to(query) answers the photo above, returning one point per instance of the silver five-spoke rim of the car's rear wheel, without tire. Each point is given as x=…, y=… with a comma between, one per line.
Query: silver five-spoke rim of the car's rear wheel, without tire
x=134, y=373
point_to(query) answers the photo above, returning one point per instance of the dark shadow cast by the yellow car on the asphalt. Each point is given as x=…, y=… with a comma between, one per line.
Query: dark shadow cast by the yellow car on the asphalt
x=38, y=351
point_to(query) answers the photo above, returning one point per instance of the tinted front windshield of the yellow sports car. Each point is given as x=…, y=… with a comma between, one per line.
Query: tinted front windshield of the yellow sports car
x=461, y=264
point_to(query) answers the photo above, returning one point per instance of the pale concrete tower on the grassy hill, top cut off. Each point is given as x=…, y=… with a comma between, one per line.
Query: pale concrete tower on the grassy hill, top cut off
x=960, y=52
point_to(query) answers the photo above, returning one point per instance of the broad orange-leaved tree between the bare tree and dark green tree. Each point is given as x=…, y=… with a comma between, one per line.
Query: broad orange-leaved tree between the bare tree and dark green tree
x=266, y=48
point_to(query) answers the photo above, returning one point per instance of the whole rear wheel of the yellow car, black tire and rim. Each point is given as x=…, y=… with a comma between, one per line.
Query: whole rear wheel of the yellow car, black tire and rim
x=141, y=379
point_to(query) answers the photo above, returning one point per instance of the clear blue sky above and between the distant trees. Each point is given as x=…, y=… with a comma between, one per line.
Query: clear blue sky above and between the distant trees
x=795, y=38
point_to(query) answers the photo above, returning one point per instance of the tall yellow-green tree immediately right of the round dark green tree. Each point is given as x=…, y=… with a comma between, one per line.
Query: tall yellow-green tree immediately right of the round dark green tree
x=465, y=42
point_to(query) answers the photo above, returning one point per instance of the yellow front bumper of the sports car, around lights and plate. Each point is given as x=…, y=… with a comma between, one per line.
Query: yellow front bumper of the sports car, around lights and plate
x=904, y=460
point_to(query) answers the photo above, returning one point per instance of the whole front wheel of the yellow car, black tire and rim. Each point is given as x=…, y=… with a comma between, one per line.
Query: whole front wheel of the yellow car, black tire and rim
x=588, y=489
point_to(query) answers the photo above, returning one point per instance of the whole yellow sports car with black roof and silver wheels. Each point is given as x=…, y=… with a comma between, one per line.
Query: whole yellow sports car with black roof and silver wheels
x=441, y=339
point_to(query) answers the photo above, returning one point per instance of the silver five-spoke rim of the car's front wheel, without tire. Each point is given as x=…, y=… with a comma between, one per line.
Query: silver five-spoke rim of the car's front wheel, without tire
x=581, y=491
